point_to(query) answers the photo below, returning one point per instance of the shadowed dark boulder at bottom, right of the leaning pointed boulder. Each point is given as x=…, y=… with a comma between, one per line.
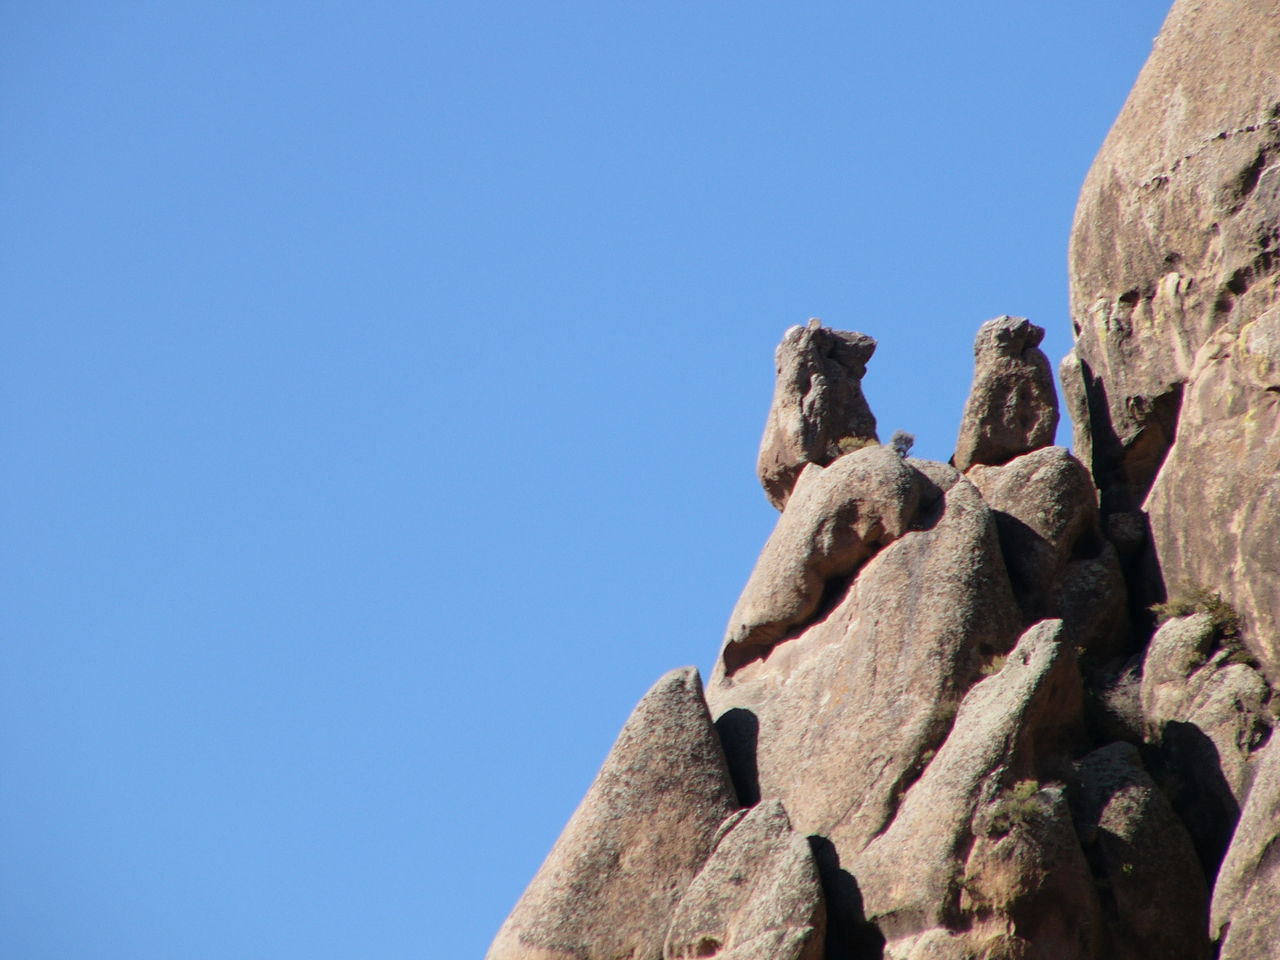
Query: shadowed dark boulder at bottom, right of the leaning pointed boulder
x=1156, y=898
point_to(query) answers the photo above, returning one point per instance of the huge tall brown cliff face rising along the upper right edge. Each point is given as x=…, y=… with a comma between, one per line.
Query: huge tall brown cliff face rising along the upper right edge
x=1174, y=300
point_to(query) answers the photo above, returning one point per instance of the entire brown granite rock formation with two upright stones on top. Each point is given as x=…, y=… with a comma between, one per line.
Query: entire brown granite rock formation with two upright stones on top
x=945, y=723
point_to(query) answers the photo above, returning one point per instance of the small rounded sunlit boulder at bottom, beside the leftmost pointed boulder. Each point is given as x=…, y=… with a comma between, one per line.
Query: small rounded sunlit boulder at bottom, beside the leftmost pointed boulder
x=758, y=897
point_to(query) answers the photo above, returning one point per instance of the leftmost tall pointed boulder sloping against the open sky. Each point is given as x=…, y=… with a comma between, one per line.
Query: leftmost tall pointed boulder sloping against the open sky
x=610, y=886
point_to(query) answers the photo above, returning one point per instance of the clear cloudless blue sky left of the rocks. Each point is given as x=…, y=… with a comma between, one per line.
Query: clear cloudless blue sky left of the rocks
x=382, y=385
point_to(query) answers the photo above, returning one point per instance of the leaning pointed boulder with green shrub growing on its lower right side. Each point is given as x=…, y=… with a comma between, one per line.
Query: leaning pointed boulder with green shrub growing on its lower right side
x=977, y=847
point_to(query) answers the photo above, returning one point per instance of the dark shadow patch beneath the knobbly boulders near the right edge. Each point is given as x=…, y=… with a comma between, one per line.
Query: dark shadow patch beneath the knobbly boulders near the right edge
x=1190, y=771
